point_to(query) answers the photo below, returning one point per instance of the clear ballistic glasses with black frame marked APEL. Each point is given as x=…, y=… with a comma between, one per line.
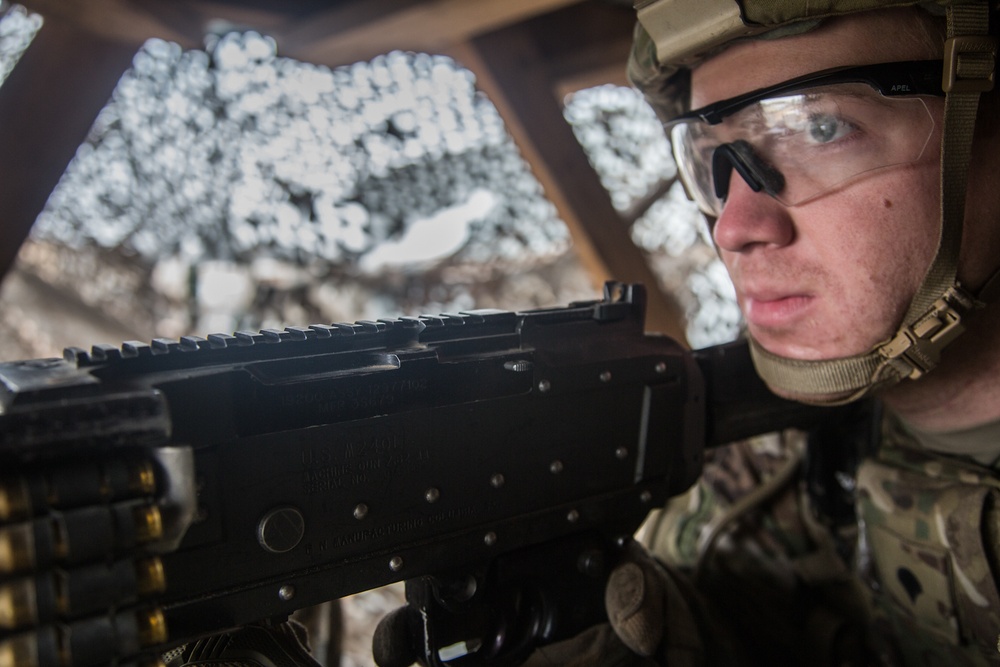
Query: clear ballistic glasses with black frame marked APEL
x=809, y=136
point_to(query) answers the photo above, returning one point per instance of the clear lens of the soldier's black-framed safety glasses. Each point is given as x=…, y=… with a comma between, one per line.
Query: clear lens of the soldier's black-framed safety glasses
x=819, y=139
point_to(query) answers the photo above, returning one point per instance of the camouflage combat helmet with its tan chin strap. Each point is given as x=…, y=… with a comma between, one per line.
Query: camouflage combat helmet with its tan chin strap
x=672, y=36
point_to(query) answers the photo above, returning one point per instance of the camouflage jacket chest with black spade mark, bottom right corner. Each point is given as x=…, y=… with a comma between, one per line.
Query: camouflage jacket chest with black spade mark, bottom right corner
x=929, y=554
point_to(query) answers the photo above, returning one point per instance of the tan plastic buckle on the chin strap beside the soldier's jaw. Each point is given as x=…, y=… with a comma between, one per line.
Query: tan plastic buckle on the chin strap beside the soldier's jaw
x=916, y=350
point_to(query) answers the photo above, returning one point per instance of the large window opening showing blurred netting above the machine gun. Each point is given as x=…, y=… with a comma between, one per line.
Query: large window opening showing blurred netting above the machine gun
x=234, y=188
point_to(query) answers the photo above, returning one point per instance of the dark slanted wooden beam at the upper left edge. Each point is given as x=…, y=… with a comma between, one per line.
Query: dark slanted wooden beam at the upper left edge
x=47, y=106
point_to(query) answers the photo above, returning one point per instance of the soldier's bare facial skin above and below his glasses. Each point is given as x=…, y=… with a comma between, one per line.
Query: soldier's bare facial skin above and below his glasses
x=833, y=276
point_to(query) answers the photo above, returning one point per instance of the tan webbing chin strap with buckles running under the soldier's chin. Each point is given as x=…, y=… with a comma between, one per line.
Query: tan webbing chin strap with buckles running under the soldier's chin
x=934, y=317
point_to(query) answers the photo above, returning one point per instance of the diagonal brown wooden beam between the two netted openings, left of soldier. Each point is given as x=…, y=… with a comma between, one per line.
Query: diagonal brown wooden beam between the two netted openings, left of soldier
x=511, y=71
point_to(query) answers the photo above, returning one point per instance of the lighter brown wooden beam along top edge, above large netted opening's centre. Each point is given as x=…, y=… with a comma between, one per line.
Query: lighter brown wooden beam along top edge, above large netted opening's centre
x=430, y=25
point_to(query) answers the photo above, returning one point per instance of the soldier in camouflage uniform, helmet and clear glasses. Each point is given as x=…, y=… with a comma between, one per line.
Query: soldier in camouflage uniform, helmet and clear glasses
x=847, y=158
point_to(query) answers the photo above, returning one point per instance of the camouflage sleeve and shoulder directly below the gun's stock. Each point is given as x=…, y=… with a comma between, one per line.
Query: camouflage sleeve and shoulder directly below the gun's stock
x=773, y=575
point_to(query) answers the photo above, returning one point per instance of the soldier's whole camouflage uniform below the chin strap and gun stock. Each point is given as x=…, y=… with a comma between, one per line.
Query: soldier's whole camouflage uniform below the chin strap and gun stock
x=909, y=583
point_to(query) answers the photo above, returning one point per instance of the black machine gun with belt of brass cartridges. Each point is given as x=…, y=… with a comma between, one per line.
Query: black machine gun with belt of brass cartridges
x=497, y=461
